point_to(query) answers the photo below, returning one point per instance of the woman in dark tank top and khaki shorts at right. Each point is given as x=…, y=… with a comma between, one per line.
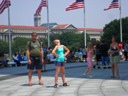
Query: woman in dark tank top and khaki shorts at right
x=114, y=57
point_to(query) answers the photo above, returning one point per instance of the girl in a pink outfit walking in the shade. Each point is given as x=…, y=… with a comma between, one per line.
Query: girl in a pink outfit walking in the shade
x=89, y=60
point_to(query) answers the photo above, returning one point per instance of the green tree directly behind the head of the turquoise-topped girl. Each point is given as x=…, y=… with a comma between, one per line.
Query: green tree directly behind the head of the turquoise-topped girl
x=70, y=39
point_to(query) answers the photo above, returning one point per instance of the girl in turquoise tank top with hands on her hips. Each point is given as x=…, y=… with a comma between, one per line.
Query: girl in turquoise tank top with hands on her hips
x=58, y=52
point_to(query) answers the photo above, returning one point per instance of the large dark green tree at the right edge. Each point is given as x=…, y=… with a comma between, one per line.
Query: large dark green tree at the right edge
x=113, y=29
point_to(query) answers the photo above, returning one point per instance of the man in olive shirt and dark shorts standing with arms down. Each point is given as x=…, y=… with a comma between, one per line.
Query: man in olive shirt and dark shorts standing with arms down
x=35, y=58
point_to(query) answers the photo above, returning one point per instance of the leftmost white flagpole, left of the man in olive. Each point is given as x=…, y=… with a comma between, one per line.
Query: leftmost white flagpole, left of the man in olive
x=9, y=33
